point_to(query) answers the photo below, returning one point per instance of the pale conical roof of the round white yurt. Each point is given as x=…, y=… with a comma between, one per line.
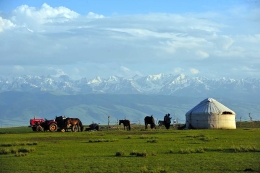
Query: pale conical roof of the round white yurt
x=210, y=106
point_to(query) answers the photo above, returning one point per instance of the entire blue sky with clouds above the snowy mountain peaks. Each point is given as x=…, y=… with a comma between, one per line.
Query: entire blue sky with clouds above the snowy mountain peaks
x=90, y=38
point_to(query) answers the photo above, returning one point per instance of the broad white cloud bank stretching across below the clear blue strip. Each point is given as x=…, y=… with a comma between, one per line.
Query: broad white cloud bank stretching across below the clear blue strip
x=62, y=38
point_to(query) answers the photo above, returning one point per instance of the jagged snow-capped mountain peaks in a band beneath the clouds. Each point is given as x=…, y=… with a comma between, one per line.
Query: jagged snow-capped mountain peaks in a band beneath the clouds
x=166, y=84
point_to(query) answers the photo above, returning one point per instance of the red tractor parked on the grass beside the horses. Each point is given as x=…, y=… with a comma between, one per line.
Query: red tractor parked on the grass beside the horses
x=40, y=124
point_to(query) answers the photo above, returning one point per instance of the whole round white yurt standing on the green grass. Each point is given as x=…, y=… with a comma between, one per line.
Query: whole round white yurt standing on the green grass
x=210, y=114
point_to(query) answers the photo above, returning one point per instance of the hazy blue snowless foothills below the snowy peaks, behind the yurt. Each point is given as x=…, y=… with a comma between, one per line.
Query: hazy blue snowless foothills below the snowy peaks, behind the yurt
x=17, y=107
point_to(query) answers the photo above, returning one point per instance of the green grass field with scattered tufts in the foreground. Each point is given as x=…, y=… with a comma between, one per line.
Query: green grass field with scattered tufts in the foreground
x=138, y=150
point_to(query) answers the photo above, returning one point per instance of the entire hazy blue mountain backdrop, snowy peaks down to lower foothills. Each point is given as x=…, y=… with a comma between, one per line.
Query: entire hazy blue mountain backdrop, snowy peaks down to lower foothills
x=93, y=100
